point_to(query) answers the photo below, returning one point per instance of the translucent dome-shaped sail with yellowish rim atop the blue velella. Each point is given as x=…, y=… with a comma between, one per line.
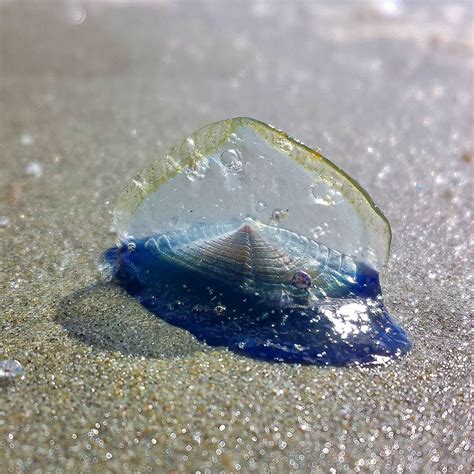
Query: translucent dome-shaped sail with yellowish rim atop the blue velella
x=242, y=168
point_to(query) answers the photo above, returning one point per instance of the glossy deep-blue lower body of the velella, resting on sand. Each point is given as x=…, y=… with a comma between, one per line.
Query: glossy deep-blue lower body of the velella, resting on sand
x=219, y=315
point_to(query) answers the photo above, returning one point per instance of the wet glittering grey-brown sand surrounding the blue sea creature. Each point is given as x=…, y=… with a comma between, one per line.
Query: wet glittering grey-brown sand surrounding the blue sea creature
x=92, y=92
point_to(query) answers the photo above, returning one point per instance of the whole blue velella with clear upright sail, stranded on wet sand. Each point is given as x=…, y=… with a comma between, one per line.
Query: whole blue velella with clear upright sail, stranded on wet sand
x=250, y=240
